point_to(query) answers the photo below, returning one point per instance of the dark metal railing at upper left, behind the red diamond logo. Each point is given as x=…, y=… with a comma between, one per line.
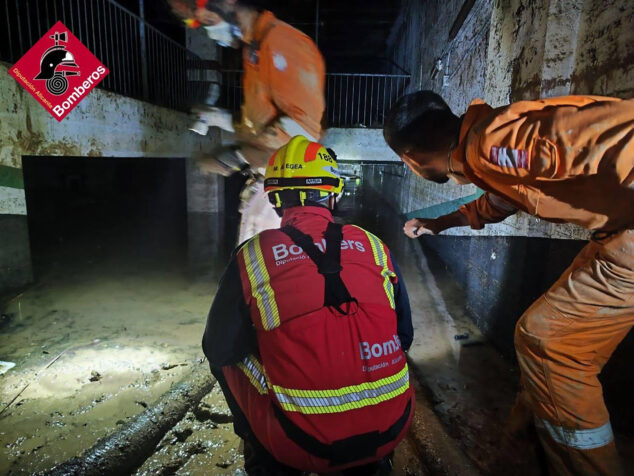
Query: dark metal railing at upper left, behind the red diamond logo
x=144, y=63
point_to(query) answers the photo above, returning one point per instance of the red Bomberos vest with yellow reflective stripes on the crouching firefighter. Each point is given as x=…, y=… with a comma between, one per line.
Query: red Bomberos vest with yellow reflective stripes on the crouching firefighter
x=330, y=358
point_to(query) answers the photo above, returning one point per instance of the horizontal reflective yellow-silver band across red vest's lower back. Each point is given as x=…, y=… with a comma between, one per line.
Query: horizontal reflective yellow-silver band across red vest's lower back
x=345, y=398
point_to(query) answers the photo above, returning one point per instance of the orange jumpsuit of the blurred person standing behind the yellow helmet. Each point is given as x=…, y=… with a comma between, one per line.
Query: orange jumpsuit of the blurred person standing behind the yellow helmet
x=284, y=75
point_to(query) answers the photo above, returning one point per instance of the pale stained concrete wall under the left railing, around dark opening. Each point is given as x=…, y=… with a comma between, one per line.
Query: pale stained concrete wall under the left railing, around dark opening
x=102, y=125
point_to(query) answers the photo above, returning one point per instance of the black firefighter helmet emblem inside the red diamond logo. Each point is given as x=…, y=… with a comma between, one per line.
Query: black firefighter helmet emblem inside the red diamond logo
x=55, y=64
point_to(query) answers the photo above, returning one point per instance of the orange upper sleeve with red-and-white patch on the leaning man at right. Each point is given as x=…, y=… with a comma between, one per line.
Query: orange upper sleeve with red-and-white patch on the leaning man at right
x=528, y=141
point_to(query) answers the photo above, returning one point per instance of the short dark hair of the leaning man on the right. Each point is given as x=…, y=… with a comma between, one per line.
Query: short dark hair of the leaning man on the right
x=421, y=121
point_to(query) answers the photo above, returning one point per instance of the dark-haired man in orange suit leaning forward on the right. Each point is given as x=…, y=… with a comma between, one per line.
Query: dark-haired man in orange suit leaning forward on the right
x=567, y=159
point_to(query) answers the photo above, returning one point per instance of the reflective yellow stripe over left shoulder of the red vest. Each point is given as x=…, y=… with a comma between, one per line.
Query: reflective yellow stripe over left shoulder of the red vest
x=260, y=284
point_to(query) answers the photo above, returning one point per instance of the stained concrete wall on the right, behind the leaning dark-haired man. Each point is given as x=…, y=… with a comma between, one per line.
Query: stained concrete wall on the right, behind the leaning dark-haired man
x=507, y=51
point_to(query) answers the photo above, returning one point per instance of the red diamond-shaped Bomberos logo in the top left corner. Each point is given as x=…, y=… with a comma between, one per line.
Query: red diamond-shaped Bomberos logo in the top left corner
x=59, y=71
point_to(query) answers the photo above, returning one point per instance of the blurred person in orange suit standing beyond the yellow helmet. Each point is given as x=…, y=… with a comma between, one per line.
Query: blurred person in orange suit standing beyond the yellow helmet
x=283, y=88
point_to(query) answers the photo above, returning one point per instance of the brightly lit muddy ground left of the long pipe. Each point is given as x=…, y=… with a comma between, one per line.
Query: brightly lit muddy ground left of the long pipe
x=94, y=344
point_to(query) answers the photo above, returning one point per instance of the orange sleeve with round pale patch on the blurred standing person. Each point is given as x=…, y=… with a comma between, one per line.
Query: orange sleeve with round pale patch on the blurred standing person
x=297, y=76
